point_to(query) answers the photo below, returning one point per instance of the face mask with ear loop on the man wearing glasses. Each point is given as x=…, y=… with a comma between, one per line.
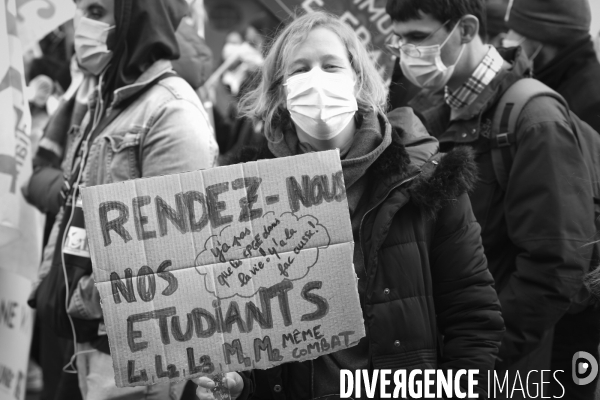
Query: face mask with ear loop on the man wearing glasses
x=424, y=66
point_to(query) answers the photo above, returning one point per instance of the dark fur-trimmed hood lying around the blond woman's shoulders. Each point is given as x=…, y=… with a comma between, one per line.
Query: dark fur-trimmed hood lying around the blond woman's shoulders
x=434, y=179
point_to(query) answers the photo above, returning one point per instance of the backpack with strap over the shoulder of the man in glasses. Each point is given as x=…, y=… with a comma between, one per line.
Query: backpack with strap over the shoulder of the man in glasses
x=503, y=138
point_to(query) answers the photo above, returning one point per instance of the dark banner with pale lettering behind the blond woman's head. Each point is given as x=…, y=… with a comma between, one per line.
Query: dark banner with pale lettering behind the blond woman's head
x=367, y=17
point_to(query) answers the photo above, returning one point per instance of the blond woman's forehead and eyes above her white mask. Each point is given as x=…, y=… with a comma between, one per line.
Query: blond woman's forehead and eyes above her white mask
x=321, y=49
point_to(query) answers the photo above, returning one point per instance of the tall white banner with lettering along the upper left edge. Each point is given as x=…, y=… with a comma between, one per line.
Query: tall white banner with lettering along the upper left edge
x=21, y=225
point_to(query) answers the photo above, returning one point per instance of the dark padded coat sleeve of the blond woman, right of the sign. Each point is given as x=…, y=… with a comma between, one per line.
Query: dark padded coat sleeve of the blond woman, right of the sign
x=466, y=303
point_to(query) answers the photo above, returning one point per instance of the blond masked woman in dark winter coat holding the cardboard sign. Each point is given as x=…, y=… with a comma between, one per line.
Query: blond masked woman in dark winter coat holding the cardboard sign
x=427, y=297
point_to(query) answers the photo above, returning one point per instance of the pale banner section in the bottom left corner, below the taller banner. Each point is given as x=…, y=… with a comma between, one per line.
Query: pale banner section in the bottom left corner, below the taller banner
x=16, y=327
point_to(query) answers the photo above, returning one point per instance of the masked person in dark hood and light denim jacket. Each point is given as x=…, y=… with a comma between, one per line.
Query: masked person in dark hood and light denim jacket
x=141, y=120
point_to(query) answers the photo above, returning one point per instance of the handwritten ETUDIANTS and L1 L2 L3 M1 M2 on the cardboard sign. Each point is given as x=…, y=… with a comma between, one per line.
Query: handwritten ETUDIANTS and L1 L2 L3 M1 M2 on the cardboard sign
x=204, y=324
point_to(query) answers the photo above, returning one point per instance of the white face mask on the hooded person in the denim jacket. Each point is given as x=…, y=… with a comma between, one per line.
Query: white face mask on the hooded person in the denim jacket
x=90, y=44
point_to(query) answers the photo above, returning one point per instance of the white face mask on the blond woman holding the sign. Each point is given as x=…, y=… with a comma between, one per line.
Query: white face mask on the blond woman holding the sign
x=321, y=104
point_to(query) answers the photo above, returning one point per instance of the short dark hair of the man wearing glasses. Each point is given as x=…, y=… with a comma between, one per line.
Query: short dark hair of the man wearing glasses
x=442, y=10
